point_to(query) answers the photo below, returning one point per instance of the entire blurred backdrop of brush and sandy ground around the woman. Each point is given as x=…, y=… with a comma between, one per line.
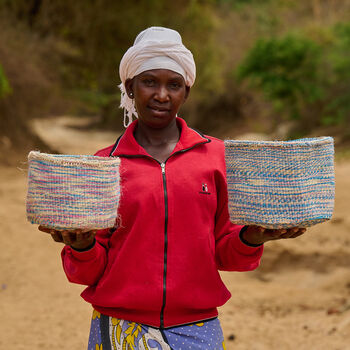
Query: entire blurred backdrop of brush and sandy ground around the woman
x=266, y=69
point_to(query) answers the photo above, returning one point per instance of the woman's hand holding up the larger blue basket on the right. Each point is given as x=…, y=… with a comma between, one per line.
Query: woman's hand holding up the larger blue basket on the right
x=258, y=235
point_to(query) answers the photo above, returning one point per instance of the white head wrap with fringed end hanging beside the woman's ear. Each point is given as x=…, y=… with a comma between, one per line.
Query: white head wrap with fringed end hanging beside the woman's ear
x=154, y=48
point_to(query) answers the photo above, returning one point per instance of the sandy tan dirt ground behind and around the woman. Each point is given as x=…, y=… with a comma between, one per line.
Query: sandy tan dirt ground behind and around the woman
x=299, y=298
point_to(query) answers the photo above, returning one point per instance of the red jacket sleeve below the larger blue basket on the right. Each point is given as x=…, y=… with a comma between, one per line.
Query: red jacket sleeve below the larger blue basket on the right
x=231, y=254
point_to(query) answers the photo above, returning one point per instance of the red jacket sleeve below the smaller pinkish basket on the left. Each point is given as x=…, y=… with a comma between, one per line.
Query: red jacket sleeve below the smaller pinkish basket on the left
x=87, y=267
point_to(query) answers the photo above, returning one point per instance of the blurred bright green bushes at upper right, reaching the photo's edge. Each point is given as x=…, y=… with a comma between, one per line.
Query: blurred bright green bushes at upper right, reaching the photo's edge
x=306, y=80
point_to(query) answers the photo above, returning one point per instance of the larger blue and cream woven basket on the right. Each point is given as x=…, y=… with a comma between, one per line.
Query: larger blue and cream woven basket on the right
x=280, y=184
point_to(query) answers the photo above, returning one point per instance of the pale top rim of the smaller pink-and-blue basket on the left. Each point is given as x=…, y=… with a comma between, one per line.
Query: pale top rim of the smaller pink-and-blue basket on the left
x=74, y=159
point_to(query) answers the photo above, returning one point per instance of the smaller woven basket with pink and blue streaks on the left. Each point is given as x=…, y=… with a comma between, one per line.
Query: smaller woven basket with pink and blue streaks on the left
x=72, y=191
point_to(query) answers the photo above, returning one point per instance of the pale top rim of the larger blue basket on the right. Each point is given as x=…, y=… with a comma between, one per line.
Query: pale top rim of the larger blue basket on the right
x=304, y=142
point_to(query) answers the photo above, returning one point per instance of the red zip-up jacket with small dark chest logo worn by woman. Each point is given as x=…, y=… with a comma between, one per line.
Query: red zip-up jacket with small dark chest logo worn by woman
x=160, y=266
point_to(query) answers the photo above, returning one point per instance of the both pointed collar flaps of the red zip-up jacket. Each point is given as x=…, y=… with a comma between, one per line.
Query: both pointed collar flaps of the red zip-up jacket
x=127, y=145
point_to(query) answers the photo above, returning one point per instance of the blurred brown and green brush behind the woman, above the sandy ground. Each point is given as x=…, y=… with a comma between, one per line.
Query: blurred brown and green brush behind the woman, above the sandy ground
x=277, y=67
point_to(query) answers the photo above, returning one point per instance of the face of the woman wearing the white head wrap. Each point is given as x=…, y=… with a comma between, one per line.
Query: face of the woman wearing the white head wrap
x=158, y=94
